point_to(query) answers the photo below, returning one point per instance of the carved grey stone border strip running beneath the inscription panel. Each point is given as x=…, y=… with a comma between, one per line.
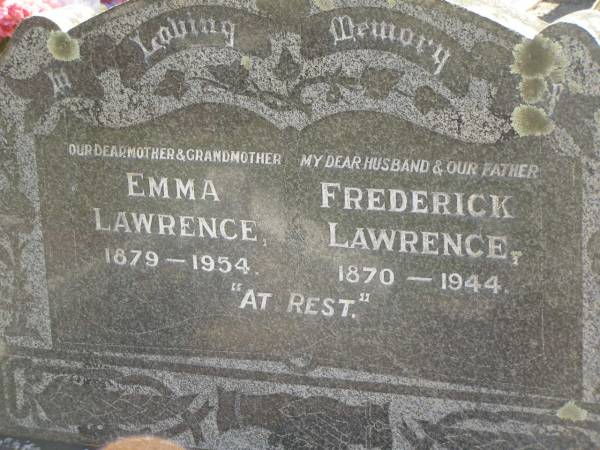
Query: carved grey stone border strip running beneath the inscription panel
x=225, y=413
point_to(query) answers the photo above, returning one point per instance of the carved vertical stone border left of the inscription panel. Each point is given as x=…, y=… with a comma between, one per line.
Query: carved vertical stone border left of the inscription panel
x=24, y=309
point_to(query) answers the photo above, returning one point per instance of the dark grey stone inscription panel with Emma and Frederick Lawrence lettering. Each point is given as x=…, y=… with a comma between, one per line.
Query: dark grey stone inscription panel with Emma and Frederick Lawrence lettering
x=414, y=257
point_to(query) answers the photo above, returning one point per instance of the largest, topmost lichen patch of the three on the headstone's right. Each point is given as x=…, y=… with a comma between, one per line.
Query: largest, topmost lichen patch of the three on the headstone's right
x=536, y=58
